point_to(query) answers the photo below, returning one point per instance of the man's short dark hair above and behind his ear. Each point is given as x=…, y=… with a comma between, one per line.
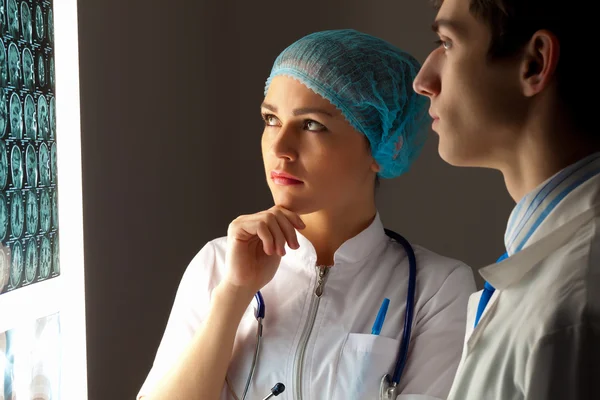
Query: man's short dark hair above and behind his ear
x=513, y=22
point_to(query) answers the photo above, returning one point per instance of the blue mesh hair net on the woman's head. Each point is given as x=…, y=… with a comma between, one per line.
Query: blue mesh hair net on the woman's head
x=370, y=82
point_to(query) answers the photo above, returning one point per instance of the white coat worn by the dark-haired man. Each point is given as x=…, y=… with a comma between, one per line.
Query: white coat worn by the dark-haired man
x=539, y=337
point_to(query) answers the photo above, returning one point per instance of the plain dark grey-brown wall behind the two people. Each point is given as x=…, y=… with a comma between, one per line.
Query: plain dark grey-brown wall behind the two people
x=170, y=96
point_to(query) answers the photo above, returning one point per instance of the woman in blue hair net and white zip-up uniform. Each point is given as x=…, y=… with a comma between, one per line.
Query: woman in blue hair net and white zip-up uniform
x=339, y=111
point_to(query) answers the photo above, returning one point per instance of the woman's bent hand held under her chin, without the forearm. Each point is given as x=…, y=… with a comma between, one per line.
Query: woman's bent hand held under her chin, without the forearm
x=255, y=245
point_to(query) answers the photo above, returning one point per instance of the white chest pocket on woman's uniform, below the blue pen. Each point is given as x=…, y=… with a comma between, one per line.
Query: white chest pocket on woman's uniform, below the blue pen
x=364, y=360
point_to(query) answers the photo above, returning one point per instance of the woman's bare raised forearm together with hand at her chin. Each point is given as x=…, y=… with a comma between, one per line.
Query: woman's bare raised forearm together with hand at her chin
x=255, y=244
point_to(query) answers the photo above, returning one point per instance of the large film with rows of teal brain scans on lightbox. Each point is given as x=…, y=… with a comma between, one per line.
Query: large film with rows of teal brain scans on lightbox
x=29, y=223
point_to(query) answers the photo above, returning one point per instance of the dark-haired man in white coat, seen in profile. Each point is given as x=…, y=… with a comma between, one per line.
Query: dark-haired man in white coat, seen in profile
x=508, y=86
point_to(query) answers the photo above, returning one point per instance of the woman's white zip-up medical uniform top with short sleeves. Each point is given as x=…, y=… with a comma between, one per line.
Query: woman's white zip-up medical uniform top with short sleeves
x=342, y=359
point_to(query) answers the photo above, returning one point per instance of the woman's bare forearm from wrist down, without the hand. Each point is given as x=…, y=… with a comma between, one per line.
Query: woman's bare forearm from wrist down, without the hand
x=201, y=370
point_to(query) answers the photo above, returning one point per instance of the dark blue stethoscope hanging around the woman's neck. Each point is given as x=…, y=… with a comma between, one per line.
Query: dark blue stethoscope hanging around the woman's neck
x=389, y=383
